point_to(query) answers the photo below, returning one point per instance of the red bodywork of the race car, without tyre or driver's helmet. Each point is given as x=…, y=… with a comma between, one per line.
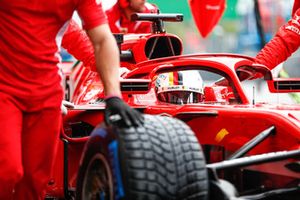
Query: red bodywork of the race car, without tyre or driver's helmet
x=224, y=122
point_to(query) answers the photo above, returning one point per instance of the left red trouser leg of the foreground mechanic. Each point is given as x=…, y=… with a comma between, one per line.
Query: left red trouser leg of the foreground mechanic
x=10, y=145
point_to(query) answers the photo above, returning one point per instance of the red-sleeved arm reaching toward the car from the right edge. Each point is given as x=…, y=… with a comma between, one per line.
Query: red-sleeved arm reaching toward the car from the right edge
x=285, y=42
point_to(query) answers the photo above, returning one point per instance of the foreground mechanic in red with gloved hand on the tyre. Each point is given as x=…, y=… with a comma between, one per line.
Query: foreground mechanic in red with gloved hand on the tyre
x=31, y=92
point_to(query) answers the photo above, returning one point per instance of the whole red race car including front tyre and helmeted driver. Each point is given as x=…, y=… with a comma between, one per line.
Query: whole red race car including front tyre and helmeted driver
x=204, y=137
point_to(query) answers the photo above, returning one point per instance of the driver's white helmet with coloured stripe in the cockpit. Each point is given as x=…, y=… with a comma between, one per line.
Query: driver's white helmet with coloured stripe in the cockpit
x=180, y=87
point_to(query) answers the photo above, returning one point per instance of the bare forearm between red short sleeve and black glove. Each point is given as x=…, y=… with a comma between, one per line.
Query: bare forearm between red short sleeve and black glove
x=107, y=58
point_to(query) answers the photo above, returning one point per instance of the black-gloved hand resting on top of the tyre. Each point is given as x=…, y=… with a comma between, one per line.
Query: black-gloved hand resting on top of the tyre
x=118, y=113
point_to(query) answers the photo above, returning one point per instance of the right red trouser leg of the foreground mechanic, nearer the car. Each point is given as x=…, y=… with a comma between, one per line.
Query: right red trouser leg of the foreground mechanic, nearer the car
x=40, y=138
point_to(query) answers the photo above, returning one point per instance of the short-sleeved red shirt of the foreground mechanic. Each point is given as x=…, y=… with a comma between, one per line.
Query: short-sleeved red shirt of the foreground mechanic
x=30, y=38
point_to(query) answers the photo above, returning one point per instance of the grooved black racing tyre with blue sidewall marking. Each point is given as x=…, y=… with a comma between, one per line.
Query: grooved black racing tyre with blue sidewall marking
x=160, y=160
